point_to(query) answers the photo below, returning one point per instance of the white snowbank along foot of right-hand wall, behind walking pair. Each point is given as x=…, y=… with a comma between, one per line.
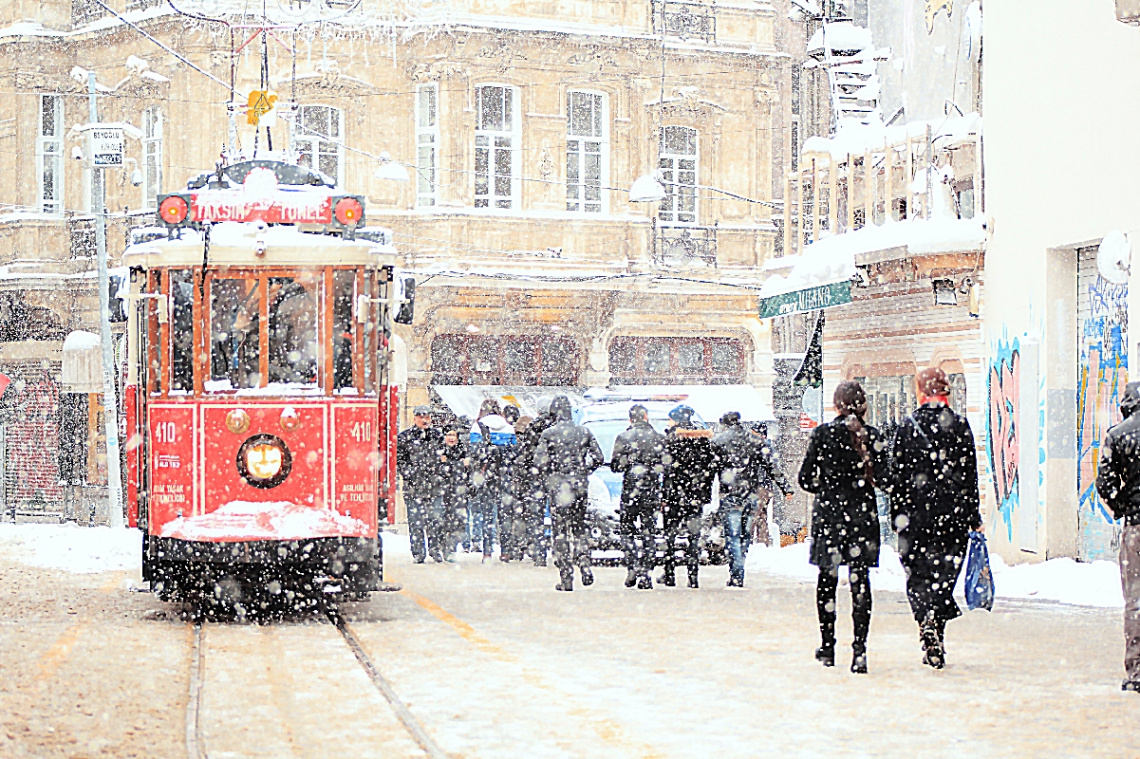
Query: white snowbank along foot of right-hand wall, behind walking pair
x=1063, y=581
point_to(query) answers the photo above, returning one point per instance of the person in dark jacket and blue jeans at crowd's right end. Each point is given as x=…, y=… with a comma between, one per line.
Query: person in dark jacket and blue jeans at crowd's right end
x=742, y=462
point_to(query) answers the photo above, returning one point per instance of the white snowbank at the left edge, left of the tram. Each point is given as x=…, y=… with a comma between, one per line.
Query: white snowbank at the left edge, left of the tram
x=72, y=549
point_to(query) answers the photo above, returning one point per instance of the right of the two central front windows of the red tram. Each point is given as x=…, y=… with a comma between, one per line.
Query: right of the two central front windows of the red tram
x=292, y=331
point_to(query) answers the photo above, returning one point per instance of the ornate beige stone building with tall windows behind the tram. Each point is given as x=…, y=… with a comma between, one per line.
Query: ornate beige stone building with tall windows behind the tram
x=522, y=127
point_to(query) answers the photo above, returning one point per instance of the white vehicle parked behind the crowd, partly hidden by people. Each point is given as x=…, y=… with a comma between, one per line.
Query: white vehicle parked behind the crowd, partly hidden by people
x=607, y=419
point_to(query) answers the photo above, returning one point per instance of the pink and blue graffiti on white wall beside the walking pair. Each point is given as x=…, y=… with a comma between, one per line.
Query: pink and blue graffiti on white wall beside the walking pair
x=1001, y=428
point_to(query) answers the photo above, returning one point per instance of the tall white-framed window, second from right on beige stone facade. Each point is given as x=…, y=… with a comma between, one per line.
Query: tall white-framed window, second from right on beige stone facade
x=587, y=151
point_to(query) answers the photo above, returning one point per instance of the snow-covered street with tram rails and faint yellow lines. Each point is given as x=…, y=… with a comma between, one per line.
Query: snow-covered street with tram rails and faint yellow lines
x=493, y=663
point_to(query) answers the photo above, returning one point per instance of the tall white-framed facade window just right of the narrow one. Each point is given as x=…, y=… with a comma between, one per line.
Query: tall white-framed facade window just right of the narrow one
x=495, y=142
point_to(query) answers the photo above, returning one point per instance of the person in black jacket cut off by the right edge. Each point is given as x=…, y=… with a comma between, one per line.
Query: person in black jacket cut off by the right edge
x=1119, y=486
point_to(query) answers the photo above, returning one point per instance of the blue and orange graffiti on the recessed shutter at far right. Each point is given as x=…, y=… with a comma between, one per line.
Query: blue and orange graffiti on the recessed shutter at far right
x=1103, y=376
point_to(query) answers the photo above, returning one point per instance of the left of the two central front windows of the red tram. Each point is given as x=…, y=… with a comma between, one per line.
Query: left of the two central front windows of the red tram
x=234, y=323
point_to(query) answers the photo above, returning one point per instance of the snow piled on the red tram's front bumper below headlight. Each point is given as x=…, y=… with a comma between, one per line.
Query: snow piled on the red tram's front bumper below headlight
x=242, y=520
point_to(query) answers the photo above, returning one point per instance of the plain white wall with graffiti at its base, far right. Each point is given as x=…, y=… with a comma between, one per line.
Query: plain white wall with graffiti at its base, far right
x=1061, y=85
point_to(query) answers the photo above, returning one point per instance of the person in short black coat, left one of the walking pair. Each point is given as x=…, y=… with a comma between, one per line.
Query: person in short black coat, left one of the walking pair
x=845, y=459
